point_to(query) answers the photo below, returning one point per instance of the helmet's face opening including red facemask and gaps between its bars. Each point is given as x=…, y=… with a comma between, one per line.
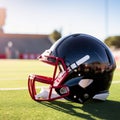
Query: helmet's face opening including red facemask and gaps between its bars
x=42, y=87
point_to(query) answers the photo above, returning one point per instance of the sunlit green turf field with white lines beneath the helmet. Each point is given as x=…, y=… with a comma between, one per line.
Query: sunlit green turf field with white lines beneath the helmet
x=17, y=104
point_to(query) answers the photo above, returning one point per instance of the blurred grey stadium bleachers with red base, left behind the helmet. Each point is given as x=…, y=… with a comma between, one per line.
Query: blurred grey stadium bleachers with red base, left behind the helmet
x=23, y=46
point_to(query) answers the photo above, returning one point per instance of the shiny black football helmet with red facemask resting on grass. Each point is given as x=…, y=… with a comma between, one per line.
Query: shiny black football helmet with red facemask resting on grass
x=82, y=69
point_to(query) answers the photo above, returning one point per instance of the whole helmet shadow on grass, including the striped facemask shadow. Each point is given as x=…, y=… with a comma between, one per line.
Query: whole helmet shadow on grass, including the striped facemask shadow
x=108, y=110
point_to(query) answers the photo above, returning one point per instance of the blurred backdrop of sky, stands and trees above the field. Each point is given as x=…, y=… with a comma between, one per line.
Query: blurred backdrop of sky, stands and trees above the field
x=28, y=27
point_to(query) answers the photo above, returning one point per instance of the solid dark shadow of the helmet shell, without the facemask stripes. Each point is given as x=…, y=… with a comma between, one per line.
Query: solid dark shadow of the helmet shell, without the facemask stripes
x=108, y=110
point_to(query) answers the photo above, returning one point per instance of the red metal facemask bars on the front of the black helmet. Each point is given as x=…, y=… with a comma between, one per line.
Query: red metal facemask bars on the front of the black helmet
x=53, y=82
